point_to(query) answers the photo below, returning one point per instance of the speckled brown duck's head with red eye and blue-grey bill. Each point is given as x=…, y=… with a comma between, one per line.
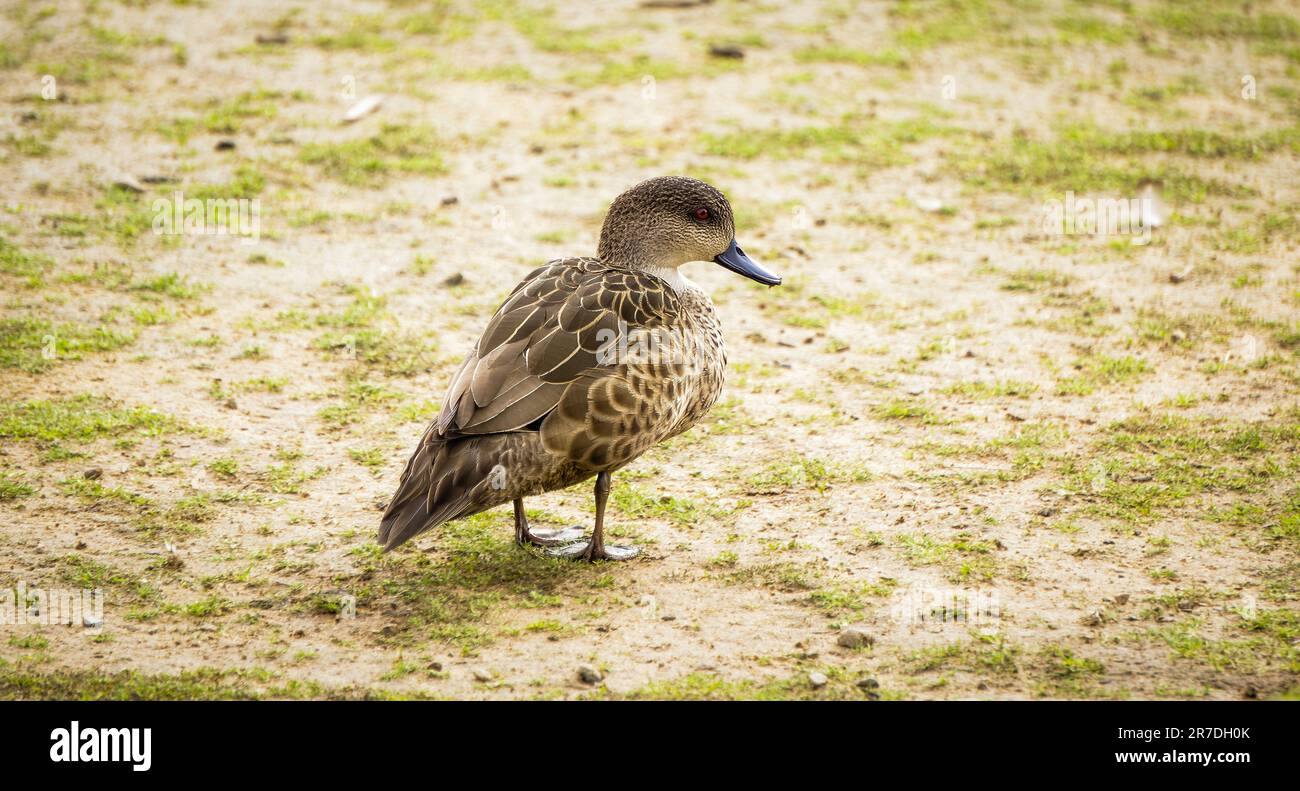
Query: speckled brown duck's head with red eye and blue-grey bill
x=668, y=222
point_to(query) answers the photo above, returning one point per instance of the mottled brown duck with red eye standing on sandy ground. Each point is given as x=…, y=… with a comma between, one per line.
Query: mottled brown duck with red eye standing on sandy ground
x=586, y=366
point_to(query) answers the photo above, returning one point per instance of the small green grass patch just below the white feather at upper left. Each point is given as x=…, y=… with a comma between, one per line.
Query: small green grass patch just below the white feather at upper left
x=371, y=162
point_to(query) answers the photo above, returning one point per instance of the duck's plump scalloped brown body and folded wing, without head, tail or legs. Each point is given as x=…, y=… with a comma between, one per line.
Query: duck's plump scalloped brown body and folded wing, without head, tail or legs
x=603, y=361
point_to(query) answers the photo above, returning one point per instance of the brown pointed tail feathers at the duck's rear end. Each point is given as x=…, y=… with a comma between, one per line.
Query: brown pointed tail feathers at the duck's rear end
x=444, y=481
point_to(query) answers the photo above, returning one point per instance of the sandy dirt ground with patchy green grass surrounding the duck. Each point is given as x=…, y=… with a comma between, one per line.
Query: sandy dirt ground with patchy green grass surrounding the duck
x=964, y=452
